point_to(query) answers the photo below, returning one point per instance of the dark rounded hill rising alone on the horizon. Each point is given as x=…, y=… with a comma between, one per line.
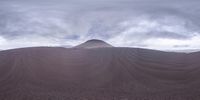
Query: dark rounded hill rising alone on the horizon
x=94, y=43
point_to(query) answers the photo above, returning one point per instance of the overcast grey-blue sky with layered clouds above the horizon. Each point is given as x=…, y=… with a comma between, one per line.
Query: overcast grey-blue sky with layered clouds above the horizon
x=152, y=24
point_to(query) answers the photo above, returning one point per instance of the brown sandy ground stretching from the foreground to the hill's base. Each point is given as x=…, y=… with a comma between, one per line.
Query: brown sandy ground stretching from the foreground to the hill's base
x=43, y=73
